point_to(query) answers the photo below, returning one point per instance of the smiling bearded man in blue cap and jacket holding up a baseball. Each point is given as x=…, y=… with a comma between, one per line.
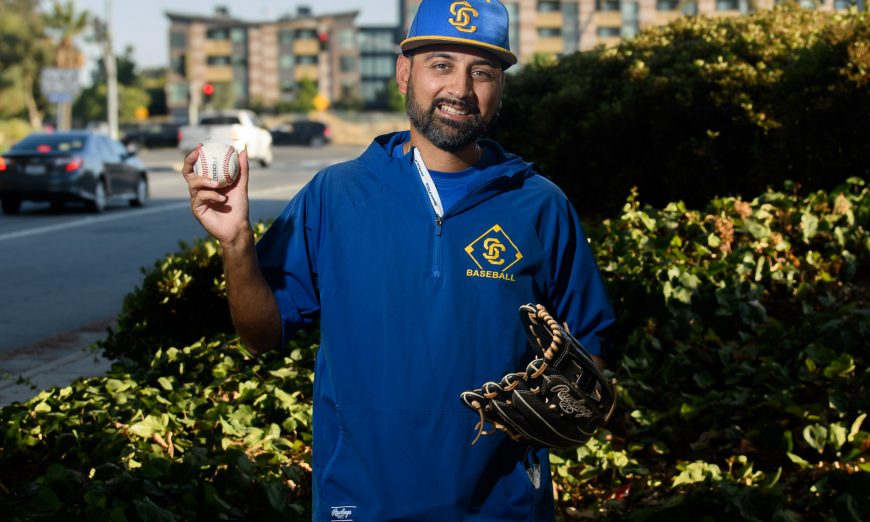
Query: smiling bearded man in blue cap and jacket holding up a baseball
x=414, y=258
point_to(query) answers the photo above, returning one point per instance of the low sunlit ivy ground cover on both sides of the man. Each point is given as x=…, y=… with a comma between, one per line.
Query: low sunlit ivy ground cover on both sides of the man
x=741, y=358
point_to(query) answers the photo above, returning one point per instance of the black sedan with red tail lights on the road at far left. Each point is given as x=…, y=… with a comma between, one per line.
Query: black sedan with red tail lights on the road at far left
x=71, y=166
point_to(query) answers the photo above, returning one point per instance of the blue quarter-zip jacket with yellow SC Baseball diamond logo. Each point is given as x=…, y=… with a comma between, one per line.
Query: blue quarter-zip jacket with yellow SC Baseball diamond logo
x=414, y=310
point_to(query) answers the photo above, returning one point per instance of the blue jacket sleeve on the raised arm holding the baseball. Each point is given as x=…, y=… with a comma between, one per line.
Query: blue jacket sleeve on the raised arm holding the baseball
x=288, y=253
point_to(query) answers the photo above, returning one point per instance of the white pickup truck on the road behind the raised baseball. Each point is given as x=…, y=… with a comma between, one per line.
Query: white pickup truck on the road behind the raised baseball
x=238, y=127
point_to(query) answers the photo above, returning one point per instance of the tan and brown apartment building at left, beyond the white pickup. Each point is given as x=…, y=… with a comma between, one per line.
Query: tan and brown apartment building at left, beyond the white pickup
x=260, y=63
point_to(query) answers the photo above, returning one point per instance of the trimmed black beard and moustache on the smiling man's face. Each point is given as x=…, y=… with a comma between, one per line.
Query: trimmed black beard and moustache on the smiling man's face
x=447, y=135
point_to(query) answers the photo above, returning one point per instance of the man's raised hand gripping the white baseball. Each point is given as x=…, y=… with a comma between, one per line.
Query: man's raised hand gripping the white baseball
x=223, y=212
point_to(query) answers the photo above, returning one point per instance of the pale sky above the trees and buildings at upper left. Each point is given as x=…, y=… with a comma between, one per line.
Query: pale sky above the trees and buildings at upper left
x=143, y=24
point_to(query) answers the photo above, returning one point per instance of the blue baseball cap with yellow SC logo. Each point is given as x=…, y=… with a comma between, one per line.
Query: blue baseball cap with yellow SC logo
x=479, y=23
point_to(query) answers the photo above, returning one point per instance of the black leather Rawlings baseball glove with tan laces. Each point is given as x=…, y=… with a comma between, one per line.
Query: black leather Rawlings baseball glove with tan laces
x=560, y=398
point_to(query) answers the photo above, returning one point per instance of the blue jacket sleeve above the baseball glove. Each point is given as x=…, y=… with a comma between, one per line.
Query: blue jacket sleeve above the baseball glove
x=575, y=288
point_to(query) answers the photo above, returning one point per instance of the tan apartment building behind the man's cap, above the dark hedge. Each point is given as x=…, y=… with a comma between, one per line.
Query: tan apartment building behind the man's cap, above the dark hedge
x=556, y=27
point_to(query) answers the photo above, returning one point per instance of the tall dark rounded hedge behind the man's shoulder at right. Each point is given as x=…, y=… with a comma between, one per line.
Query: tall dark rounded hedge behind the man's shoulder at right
x=699, y=108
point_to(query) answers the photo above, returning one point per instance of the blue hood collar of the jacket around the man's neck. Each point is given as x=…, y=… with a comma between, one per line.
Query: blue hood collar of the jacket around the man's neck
x=507, y=172
